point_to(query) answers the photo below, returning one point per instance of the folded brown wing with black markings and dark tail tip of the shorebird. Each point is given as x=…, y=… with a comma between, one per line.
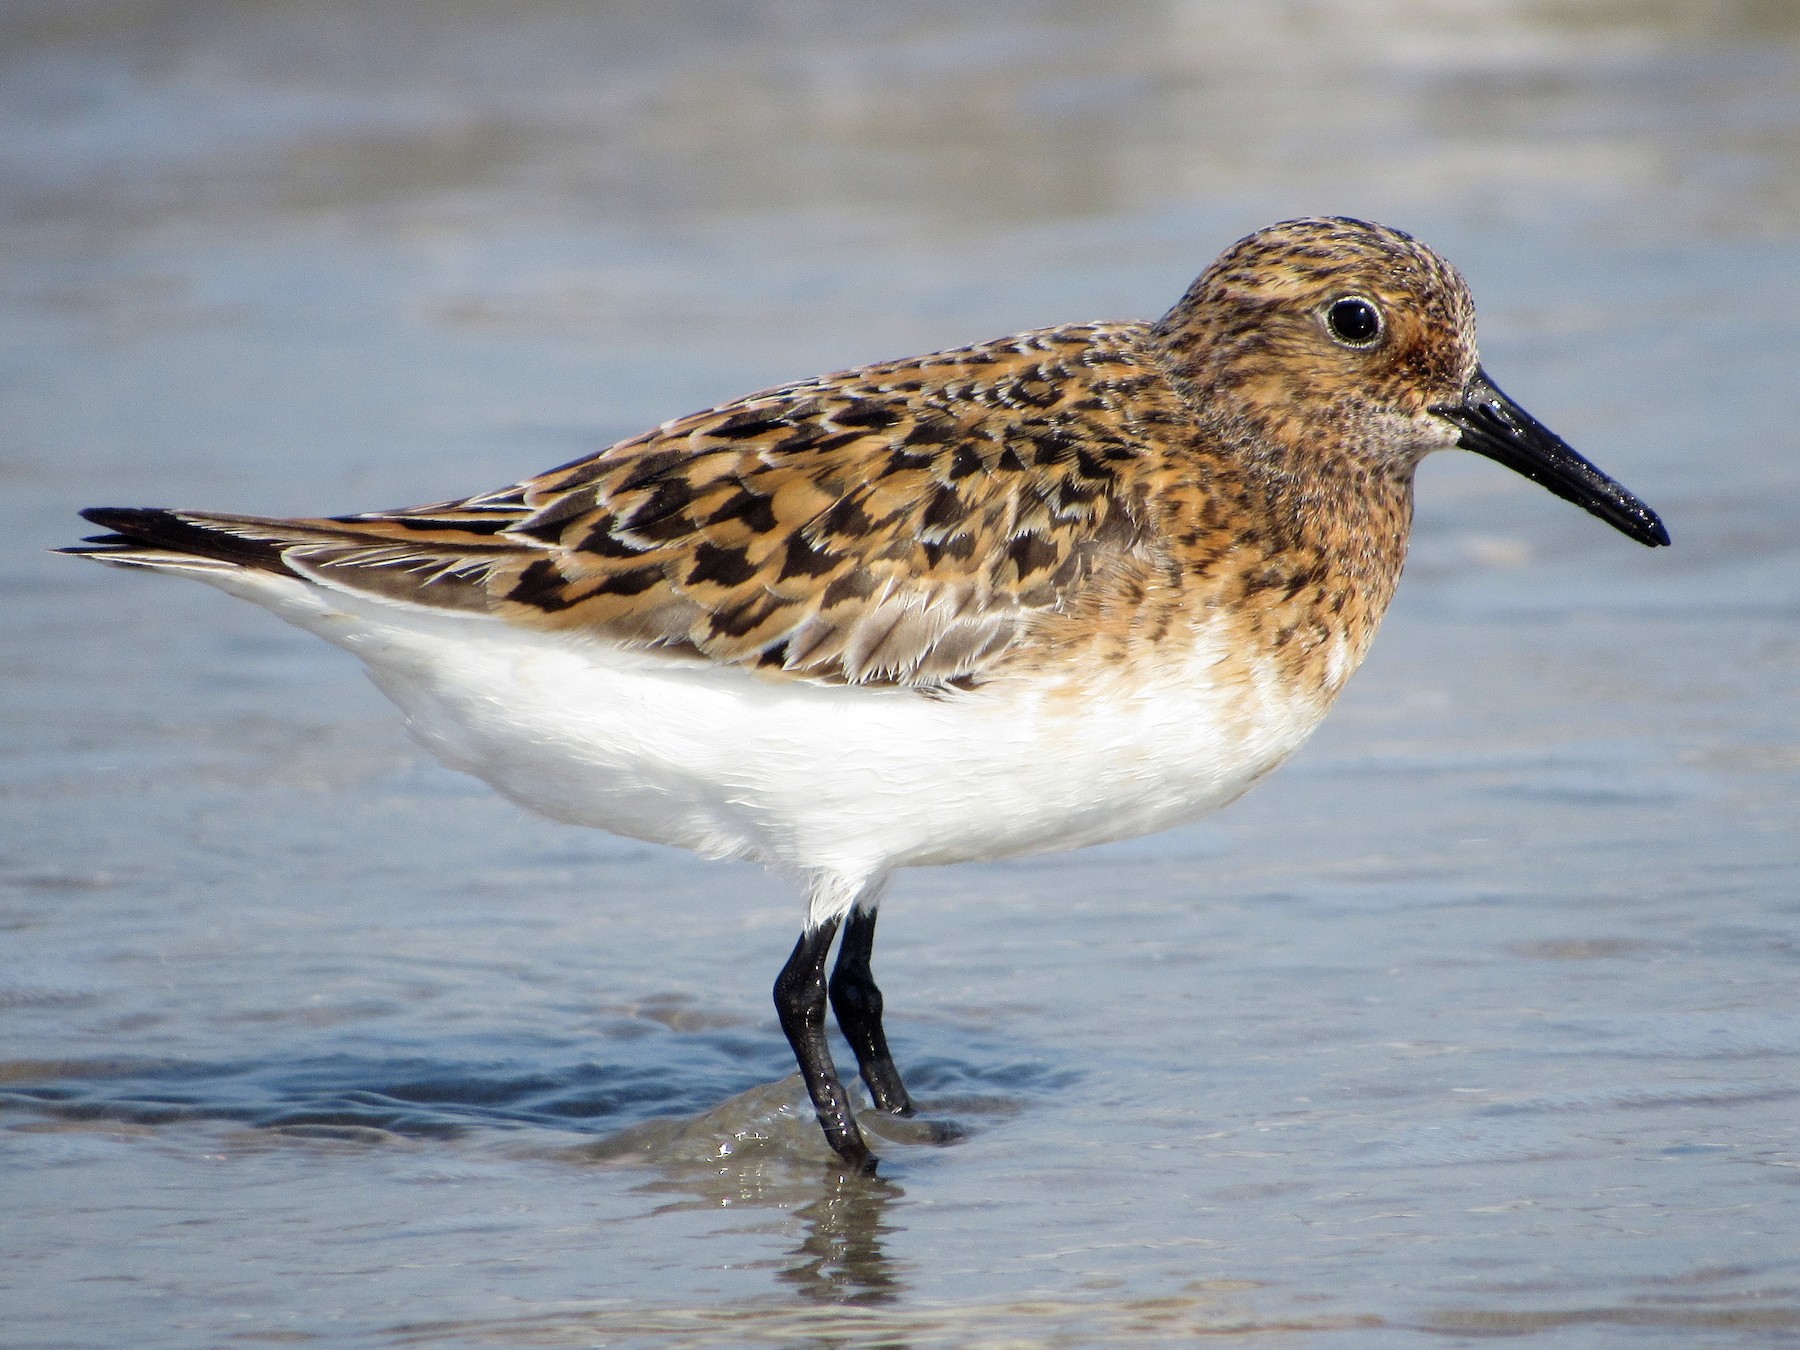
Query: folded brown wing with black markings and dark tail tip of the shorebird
x=895, y=525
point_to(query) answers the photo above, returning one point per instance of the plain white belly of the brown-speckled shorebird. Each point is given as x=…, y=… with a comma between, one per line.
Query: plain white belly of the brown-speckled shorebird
x=813, y=778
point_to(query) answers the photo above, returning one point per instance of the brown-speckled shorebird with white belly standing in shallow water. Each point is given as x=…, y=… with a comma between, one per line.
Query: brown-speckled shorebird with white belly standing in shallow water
x=1056, y=589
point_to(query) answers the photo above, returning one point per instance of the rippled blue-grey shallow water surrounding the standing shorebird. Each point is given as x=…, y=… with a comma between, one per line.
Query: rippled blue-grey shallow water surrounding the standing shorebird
x=1477, y=1020
